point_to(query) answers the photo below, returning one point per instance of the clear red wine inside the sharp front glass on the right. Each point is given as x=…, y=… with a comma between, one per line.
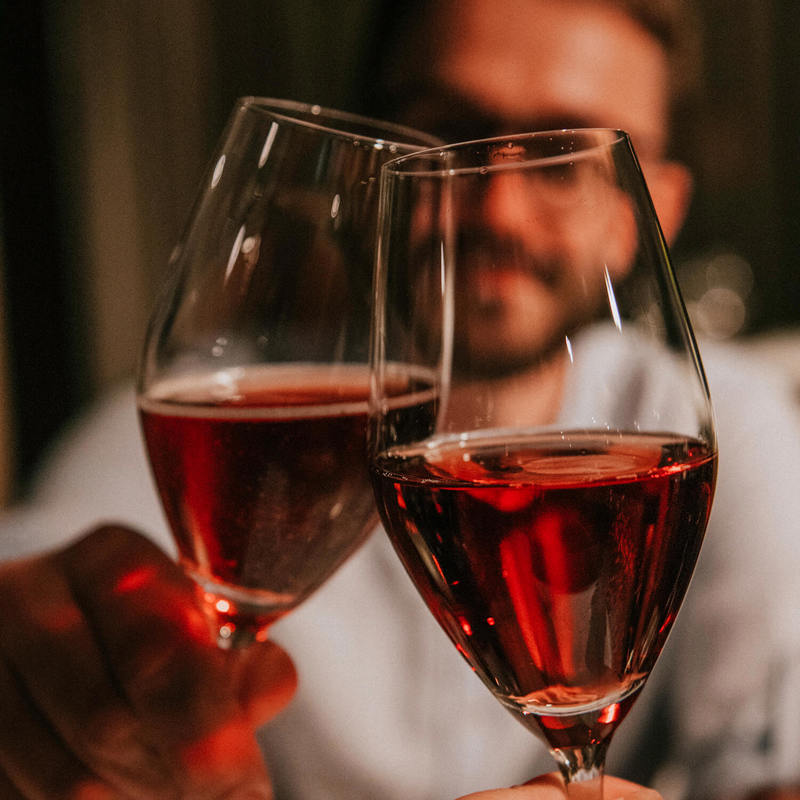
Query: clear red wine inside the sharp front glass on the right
x=556, y=564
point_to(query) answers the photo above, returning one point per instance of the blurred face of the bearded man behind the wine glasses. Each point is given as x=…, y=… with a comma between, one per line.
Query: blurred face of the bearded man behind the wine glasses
x=523, y=65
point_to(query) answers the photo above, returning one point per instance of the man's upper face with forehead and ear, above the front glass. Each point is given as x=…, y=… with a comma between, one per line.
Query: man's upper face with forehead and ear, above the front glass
x=543, y=64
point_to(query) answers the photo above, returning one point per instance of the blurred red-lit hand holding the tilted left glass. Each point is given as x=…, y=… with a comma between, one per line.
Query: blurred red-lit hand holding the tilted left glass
x=111, y=687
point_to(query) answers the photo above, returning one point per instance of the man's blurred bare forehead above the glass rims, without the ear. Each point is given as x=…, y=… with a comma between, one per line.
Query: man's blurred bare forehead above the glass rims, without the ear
x=525, y=61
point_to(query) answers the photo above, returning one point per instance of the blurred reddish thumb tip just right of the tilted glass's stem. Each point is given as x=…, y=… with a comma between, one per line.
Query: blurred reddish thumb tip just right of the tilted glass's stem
x=267, y=681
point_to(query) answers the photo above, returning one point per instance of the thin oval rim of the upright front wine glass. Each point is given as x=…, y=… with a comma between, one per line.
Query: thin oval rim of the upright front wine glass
x=404, y=165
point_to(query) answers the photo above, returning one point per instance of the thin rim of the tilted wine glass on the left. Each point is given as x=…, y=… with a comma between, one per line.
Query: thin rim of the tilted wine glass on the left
x=408, y=140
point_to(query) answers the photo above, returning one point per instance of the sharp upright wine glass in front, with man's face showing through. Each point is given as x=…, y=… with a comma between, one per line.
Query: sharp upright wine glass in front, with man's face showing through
x=541, y=439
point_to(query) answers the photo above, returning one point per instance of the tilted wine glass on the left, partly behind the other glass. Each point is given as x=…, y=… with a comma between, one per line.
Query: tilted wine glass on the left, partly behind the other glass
x=253, y=382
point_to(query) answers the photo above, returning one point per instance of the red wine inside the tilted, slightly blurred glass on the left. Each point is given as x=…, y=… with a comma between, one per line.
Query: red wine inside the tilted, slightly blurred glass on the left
x=262, y=475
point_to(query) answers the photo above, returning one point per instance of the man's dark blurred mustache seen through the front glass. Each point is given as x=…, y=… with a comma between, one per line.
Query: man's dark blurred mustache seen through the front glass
x=480, y=249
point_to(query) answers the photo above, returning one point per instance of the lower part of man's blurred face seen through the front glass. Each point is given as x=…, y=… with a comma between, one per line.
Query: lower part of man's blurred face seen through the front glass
x=527, y=242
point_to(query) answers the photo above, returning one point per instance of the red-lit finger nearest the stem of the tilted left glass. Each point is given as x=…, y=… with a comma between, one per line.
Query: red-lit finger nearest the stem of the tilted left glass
x=157, y=643
